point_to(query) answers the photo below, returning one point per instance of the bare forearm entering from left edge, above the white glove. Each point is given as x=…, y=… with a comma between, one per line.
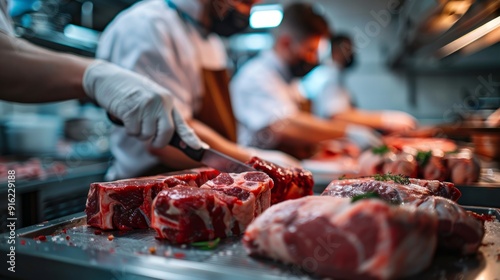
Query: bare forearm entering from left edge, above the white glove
x=30, y=74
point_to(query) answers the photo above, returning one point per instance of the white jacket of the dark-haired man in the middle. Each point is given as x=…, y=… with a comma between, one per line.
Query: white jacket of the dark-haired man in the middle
x=263, y=91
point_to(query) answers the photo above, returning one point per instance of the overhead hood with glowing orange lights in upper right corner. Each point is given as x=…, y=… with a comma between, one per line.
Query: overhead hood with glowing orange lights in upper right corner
x=448, y=34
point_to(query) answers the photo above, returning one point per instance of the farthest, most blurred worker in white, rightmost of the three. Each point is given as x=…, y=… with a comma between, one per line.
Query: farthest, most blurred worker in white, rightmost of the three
x=330, y=99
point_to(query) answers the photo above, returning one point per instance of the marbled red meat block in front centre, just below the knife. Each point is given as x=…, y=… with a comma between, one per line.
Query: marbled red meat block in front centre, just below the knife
x=222, y=207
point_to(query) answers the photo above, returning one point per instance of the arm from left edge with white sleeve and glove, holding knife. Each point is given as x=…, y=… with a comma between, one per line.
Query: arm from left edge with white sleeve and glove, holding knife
x=30, y=74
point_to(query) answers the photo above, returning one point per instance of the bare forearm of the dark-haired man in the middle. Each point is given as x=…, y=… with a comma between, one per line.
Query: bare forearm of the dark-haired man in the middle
x=307, y=129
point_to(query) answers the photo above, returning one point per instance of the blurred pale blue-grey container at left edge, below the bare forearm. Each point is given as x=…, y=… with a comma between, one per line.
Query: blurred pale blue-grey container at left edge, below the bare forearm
x=31, y=134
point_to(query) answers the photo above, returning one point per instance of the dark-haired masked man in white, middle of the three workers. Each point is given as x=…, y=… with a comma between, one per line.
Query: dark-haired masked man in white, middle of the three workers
x=266, y=96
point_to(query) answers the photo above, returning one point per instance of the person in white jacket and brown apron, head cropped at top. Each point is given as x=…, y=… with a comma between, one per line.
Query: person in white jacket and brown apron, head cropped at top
x=176, y=43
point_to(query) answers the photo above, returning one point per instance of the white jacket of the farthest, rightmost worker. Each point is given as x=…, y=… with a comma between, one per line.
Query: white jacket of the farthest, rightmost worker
x=323, y=87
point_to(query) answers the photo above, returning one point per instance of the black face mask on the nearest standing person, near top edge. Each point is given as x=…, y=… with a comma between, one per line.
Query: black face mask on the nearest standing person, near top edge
x=234, y=22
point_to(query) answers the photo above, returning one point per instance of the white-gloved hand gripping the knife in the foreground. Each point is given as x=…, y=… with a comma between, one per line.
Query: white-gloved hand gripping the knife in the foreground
x=145, y=108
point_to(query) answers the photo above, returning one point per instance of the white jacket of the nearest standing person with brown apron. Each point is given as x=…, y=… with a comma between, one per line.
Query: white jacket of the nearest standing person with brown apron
x=153, y=39
